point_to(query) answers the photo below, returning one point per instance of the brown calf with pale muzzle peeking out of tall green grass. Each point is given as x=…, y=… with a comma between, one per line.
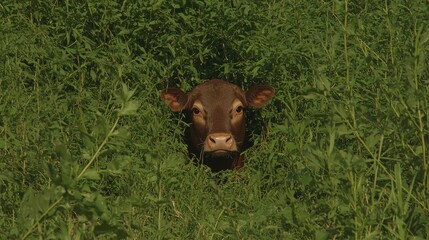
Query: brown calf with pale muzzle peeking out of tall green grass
x=215, y=112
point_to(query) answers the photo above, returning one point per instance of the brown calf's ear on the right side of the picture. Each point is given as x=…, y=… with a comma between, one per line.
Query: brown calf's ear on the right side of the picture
x=259, y=95
